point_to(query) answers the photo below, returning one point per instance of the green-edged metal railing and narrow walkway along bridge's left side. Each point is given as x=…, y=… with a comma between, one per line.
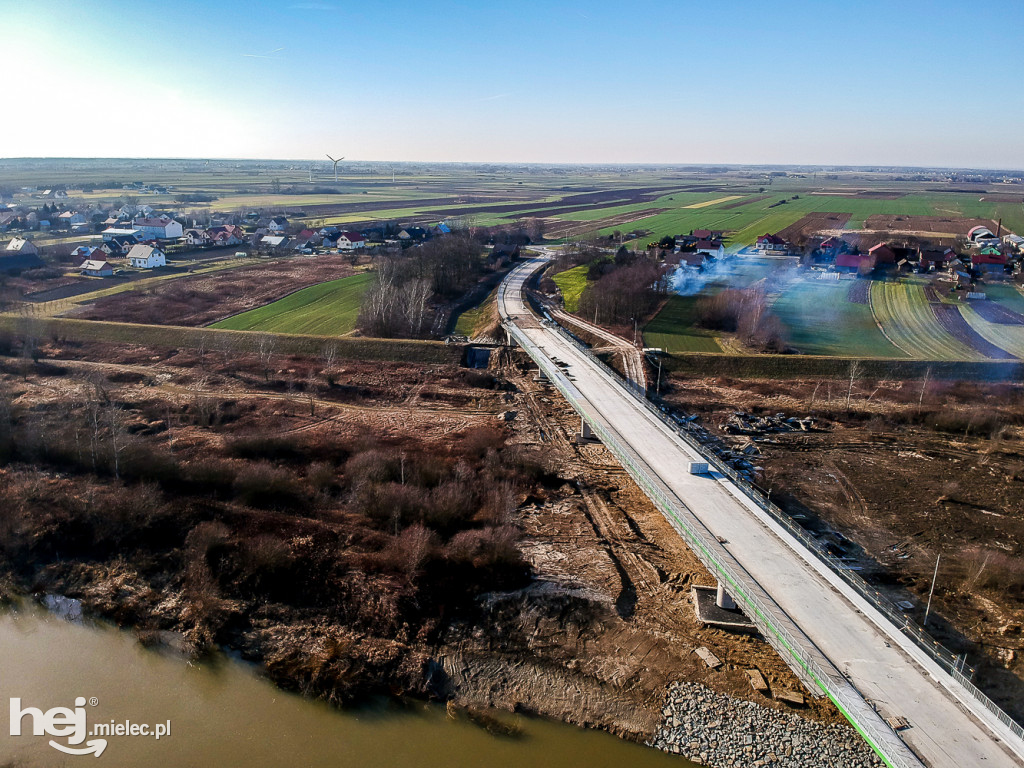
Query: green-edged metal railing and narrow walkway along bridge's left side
x=771, y=620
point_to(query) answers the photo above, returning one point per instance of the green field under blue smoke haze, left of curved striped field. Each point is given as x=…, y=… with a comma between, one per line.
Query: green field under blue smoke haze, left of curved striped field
x=820, y=320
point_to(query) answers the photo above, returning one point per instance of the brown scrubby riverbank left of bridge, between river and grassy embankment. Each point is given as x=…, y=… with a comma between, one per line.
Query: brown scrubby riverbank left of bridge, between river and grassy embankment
x=359, y=530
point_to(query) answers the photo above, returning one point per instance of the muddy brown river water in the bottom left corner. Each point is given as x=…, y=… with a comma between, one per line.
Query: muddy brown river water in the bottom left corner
x=223, y=714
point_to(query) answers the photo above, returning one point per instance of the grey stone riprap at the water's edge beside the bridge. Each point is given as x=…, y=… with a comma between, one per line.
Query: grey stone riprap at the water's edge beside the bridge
x=723, y=733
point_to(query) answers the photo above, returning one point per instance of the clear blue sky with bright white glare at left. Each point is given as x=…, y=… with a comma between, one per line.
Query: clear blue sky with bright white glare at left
x=792, y=81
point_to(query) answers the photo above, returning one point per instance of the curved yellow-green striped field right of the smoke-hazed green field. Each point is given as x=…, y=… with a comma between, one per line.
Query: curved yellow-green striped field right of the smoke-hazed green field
x=908, y=319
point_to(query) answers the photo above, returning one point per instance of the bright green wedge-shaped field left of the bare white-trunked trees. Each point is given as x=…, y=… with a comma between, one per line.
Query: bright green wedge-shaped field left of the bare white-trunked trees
x=326, y=310
